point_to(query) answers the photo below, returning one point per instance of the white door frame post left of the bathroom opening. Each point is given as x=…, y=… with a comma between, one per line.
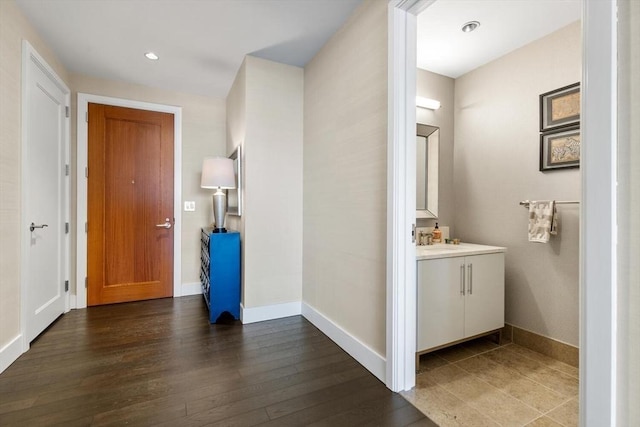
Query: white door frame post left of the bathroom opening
x=401, y=255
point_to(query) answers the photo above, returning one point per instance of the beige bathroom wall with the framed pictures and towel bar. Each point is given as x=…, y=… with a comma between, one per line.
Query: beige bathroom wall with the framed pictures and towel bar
x=496, y=159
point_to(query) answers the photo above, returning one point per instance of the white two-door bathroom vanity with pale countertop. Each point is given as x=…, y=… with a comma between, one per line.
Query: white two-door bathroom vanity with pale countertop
x=460, y=293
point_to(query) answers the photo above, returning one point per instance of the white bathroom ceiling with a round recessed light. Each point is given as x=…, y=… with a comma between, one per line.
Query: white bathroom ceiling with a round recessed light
x=505, y=25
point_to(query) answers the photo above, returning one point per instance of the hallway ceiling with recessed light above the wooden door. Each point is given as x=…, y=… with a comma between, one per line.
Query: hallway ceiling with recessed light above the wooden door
x=201, y=43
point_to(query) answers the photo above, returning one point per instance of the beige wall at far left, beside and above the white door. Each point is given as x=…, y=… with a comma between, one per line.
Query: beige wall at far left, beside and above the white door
x=13, y=29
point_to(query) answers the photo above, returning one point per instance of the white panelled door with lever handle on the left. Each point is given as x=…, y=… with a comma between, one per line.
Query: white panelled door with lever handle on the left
x=45, y=194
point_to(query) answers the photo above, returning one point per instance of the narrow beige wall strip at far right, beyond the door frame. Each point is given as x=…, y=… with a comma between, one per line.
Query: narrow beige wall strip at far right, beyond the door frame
x=628, y=268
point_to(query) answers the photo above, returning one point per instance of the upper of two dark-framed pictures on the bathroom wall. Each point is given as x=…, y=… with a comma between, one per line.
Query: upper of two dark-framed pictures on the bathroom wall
x=560, y=108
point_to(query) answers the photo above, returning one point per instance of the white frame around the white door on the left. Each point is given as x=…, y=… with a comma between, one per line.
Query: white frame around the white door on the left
x=30, y=58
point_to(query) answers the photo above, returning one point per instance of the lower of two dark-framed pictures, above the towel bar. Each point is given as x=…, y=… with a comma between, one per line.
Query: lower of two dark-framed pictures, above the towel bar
x=560, y=149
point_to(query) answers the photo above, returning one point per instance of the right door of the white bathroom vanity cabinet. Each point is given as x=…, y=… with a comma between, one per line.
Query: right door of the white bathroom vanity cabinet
x=484, y=304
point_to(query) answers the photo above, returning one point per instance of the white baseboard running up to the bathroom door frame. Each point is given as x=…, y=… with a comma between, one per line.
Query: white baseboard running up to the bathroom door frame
x=367, y=357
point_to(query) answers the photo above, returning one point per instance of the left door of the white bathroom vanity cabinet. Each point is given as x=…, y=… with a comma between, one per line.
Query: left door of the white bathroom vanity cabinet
x=440, y=302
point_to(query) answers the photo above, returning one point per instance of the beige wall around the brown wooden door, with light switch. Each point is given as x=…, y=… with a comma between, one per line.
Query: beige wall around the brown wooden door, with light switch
x=203, y=134
